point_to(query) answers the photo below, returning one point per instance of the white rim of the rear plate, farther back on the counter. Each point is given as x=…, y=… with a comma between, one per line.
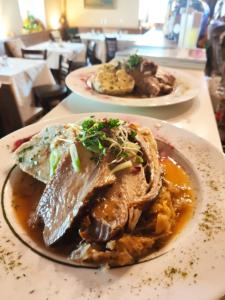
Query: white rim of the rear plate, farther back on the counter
x=79, y=81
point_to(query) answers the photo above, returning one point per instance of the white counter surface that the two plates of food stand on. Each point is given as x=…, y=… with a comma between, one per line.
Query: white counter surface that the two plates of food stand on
x=195, y=115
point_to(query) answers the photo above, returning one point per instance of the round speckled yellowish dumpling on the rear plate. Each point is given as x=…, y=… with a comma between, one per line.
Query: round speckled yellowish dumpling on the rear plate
x=113, y=81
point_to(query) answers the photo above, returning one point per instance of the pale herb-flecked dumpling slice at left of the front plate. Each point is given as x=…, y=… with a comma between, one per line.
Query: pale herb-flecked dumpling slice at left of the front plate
x=36, y=156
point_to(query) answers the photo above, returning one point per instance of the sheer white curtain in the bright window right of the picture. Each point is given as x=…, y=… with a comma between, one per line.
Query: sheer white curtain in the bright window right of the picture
x=153, y=11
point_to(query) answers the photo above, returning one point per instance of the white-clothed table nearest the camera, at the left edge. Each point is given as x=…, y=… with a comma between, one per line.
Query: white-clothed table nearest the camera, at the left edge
x=23, y=75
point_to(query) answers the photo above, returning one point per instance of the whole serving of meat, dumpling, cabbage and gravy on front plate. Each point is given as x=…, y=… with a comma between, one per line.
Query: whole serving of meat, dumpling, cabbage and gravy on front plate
x=99, y=193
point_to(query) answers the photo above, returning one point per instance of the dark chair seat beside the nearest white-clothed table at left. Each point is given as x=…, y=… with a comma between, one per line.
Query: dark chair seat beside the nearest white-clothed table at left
x=50, y=91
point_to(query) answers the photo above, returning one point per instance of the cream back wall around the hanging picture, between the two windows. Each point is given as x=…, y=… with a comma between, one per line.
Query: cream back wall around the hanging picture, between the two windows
x=124, y=15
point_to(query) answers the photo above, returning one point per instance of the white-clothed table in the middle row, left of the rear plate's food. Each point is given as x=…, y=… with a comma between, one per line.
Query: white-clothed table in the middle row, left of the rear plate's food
x=73, y=51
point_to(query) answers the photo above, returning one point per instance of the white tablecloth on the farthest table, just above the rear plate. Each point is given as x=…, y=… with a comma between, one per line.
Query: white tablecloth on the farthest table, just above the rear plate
x=124, y=40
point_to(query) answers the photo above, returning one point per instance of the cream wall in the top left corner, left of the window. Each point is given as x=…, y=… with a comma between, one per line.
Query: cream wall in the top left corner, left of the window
x=11, y=22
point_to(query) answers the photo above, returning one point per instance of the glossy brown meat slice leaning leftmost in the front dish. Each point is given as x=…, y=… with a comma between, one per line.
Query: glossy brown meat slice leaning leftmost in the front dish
x=69, y=193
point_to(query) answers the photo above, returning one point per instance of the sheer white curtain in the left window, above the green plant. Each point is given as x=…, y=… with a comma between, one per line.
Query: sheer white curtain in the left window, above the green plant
x=35, y=7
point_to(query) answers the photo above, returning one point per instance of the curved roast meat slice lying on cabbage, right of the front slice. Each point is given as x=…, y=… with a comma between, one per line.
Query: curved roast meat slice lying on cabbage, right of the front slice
x=125, y=199
